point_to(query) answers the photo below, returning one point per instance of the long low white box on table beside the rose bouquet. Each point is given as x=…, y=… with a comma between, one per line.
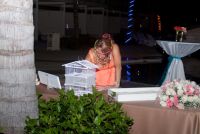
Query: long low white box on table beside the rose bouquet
x=134, y=94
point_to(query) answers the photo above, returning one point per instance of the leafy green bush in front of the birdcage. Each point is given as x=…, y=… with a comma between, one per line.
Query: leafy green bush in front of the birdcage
x=88, y=114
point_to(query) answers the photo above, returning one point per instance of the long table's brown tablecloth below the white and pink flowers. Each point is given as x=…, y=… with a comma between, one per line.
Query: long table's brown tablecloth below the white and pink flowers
x=151, y=118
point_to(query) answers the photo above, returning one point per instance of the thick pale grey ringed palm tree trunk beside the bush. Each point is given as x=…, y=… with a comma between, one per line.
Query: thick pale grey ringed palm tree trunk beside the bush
x=17, y=67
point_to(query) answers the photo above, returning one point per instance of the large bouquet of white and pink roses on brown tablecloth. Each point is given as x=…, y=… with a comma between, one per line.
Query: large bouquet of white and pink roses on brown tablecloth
x=180, y=94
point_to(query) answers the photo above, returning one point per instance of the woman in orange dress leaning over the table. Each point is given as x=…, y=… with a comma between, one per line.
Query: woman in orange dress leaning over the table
x=106, y=55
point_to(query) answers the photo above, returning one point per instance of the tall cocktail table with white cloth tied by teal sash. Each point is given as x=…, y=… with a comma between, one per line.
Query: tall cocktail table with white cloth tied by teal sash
x=176, y=51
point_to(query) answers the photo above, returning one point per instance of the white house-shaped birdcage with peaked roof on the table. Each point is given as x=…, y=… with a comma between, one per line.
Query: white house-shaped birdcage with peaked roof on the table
x=80, y=76
